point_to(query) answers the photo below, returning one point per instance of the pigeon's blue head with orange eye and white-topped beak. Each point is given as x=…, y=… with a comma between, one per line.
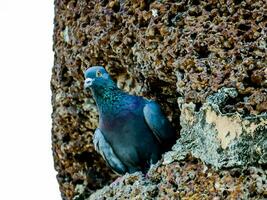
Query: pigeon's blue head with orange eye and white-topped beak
x=97, y=78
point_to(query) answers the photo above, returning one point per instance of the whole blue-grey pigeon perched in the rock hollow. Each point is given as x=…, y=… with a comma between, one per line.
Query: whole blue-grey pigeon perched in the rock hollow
x=133, y=132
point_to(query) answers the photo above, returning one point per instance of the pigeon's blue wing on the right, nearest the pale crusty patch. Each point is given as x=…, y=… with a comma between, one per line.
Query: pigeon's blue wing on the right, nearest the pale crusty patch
x=159, y=124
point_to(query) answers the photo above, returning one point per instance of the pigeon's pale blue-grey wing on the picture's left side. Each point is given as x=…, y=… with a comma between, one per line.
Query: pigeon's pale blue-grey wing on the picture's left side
x=106, y=151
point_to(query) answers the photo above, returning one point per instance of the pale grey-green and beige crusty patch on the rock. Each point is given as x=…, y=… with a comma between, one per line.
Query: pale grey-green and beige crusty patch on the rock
x=221, y=140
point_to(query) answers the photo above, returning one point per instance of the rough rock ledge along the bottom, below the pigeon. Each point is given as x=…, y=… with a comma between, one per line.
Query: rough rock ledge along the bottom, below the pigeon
x=190, y=179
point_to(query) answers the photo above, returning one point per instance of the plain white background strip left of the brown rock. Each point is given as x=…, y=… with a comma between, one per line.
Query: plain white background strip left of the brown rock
x=26, y=60
